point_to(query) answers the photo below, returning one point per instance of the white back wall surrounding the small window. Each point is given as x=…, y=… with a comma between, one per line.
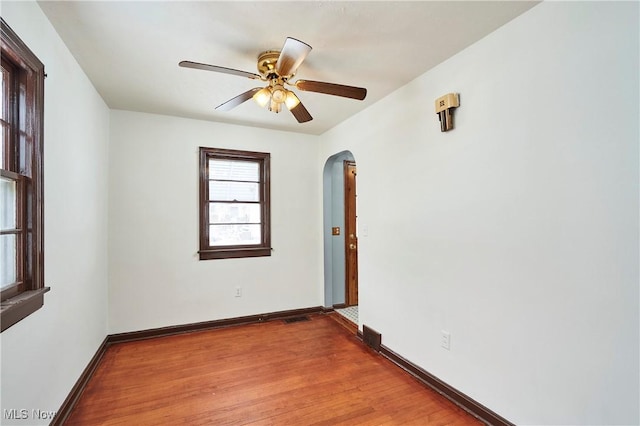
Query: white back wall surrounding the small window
x=155, y=276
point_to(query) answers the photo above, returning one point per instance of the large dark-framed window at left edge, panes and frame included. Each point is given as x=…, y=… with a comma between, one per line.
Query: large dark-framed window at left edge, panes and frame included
x=21, y=181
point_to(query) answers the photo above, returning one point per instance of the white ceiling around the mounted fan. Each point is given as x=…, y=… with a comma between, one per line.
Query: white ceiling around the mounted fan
x=130, y=50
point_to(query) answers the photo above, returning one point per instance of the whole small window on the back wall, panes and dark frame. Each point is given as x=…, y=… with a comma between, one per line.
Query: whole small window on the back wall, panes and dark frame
x=234, y=204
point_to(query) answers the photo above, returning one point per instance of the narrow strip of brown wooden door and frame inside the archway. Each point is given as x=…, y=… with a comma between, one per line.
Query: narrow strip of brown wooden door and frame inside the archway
x=350, y=235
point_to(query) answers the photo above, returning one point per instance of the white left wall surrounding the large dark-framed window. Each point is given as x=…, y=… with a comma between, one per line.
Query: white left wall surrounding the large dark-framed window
x=43, y=355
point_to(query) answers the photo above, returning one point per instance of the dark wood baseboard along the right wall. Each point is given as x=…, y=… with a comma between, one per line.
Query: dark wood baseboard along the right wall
x=460, y=399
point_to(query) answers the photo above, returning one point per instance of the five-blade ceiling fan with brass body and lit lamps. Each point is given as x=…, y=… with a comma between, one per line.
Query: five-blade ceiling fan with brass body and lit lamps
x=277, y=68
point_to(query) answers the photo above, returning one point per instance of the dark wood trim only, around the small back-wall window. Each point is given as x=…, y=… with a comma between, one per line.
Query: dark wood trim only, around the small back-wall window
x=207, y=251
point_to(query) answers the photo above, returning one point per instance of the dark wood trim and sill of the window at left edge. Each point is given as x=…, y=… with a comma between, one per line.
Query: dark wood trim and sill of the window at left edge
x=24, y=164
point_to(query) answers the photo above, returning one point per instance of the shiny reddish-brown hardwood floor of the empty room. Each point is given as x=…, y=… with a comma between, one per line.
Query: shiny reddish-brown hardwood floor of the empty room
x=304, y=373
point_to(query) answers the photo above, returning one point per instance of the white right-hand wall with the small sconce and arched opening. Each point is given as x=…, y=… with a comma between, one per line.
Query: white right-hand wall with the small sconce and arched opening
x=517, y=232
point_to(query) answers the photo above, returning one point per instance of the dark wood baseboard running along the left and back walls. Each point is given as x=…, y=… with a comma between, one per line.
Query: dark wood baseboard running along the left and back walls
x=74, y=395
